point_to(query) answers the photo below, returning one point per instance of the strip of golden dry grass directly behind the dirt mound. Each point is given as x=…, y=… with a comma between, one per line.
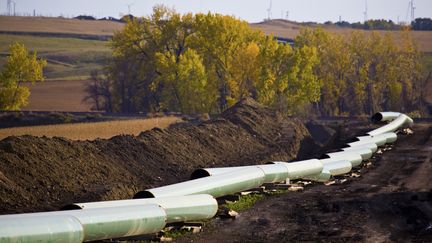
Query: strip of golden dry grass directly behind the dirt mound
x=91, y=131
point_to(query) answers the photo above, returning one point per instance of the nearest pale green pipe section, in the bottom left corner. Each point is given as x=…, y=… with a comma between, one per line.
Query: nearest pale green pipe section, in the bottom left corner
x=33, y=228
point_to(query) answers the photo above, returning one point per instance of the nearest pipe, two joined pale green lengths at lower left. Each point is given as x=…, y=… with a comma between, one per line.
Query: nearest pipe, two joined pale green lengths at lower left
x=96, y=224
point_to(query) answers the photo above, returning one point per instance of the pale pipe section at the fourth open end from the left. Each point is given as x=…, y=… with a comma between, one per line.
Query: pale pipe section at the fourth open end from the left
x=300, y=169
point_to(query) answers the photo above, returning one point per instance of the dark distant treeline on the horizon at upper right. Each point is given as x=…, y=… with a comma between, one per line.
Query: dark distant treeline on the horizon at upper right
x=382, y=24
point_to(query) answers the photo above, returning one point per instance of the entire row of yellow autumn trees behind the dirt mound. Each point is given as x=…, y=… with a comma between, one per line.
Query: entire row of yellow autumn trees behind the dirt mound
x=207, y=62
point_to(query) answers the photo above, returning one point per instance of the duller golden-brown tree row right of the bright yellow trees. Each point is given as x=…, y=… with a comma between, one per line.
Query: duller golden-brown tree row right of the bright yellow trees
x=365, y=72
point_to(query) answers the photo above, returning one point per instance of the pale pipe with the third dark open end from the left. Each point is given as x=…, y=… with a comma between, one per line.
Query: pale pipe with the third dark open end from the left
x=273, y=172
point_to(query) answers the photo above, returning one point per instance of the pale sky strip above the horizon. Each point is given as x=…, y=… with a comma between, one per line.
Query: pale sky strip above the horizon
x=249, y=10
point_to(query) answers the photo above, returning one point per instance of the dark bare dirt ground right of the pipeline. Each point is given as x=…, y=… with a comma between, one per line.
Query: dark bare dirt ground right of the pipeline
x=391, y=202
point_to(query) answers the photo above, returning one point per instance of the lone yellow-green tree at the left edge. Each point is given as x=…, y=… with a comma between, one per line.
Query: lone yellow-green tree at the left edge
x=20, y=67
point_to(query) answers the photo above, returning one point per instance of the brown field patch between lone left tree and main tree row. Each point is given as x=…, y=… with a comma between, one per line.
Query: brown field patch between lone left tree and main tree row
x=58, y=96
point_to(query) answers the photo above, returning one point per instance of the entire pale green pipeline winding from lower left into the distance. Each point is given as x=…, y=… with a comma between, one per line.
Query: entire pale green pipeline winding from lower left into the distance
x=152, y=209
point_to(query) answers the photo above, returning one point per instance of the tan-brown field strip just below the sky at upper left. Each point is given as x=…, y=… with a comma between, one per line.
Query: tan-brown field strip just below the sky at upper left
x=58, y=25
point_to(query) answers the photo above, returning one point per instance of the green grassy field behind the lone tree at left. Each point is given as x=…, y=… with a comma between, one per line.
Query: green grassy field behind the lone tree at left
x=68, y=58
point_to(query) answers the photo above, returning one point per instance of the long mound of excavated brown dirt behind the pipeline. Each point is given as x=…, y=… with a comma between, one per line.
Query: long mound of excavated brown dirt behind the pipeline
x=39, y=174
